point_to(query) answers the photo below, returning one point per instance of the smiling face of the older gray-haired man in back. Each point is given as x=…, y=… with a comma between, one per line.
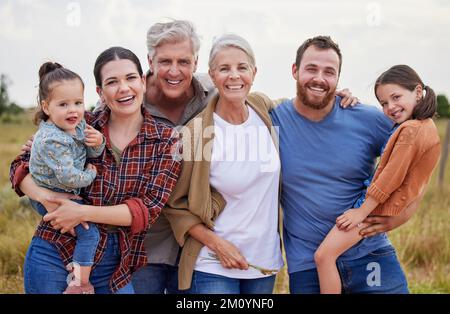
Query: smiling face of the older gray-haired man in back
x=174, y=65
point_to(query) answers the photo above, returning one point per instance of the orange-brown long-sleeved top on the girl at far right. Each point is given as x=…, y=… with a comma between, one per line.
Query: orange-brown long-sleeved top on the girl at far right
x=405, y=167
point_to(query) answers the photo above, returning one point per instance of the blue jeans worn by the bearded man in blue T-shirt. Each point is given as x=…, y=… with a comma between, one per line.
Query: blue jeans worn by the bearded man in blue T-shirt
x=377, y=272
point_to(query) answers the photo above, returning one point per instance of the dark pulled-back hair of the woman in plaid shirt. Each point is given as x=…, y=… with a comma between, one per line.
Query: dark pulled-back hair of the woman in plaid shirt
x=111, y=54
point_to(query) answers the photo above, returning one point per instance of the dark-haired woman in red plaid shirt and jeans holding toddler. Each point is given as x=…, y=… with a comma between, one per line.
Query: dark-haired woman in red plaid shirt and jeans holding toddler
x=135, y=175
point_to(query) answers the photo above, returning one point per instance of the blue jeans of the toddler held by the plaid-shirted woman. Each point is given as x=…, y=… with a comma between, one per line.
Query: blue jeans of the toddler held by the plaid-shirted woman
x=87, y=240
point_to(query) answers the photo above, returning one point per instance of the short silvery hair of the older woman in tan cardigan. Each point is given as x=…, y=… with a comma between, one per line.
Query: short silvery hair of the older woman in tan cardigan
x=233, y=41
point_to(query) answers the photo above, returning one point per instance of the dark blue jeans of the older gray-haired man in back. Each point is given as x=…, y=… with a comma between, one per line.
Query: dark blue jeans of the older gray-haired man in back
x=156, y=279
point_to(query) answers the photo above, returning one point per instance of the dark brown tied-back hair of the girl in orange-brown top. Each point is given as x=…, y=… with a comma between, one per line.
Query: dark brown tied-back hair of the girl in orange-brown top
x=407, y=78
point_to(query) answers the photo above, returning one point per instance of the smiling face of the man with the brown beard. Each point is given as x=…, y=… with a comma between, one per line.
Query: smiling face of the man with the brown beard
x=317, y=76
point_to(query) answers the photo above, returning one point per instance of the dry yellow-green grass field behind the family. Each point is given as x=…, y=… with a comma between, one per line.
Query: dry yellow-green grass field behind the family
x=423, y=243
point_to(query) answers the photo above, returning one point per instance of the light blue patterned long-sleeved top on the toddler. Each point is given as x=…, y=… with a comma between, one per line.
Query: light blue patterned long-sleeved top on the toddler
x=58, y=158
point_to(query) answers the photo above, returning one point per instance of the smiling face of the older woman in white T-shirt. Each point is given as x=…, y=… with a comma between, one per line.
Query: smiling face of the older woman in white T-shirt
x=232, y=74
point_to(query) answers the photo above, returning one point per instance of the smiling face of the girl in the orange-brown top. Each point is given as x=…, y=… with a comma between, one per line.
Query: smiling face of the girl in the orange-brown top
x=398, y=102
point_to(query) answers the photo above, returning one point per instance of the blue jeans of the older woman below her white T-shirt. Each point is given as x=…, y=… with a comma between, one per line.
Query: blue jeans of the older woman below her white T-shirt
x=205, y=283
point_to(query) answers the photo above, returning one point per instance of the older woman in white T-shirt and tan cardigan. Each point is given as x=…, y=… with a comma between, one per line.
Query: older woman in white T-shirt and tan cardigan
x=224, y=209
